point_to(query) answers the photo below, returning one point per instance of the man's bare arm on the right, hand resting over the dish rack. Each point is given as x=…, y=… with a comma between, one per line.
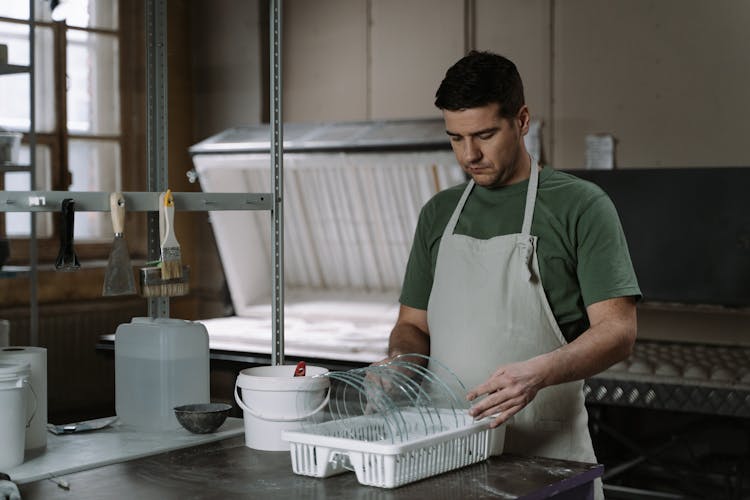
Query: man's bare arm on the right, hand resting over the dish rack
x=609, y=339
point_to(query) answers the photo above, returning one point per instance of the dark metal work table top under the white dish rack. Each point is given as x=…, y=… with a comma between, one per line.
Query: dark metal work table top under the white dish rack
x=228, y=469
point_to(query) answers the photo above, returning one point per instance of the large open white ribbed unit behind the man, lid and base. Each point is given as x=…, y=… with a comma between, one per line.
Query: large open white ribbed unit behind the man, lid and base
x=352, y=195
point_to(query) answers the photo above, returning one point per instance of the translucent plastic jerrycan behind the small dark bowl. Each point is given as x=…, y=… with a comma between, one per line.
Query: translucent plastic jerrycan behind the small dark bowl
x=159, y=364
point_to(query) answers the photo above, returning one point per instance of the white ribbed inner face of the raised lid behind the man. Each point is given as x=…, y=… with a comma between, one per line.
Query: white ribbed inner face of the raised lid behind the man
x=349, y=219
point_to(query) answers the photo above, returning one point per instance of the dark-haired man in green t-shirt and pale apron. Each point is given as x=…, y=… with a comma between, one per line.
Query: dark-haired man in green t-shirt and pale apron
x=520, y=280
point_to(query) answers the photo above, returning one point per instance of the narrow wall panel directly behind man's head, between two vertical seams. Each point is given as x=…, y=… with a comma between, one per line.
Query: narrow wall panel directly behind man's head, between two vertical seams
x=520, y=30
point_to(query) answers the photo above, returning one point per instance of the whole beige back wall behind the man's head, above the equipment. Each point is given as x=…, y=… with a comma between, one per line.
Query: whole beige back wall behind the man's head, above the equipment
x=667, y=78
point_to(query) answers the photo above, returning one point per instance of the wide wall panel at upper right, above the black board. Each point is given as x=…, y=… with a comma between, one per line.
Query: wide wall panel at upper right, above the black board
x=668, y=78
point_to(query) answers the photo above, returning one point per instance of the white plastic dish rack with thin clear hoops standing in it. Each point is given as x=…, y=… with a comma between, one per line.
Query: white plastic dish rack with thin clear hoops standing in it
x=391, y=424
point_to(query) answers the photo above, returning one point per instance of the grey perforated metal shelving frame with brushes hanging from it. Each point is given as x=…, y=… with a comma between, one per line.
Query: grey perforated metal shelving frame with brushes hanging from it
x=48, y=201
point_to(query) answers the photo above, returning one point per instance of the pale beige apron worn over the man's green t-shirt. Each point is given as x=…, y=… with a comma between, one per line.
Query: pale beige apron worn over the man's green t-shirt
x=487, y=308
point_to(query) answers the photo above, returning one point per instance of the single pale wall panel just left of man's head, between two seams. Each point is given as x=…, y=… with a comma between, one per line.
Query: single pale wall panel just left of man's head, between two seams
x=413, y=42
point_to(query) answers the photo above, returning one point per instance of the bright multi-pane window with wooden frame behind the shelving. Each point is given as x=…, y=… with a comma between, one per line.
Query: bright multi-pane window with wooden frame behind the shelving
x=78, y=103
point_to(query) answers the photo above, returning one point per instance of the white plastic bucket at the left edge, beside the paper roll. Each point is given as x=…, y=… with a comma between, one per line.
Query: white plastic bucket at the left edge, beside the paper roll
x=14, y=378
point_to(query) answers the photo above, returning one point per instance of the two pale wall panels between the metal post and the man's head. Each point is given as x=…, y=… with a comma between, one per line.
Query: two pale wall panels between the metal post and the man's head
x=360, y=59
